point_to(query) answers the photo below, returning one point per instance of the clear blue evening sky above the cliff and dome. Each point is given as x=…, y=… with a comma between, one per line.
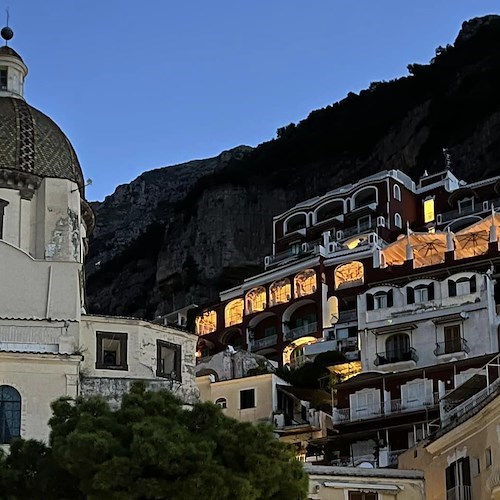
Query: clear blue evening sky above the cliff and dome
x=140, y=85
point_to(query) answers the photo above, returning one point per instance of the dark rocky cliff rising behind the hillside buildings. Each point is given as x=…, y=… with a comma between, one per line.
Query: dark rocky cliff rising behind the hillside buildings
x=181, y=234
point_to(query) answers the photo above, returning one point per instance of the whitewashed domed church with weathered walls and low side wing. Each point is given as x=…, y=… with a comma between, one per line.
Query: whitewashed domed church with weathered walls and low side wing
x=49, y=347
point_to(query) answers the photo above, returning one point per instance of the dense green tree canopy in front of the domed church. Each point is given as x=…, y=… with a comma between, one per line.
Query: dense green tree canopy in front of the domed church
x=150, y=448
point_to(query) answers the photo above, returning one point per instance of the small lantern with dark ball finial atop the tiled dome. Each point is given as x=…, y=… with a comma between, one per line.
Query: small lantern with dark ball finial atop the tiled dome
x=13, y=71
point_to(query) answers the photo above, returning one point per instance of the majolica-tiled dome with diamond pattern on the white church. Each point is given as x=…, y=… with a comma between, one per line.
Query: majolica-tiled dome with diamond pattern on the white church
x=31, y=142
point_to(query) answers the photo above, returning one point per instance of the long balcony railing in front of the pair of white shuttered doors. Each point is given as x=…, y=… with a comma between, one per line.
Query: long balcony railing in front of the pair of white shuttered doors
x=391, y=407
